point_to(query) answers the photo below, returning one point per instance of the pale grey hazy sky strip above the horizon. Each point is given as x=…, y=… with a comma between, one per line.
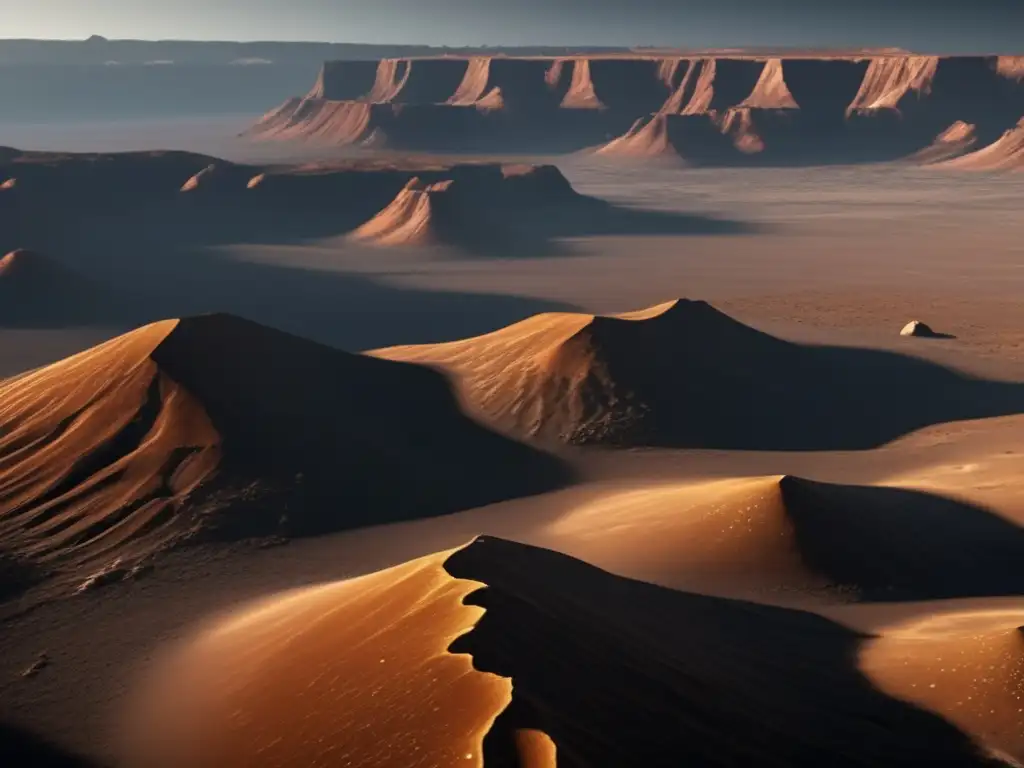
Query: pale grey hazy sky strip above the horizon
x=982, y=25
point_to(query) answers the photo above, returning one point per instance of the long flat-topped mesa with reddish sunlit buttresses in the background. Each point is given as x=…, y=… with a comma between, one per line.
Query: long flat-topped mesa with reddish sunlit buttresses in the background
x=738, y=110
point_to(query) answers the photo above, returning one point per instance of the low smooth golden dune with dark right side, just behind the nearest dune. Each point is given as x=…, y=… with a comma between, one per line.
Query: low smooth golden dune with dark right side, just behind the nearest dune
x=773, y=538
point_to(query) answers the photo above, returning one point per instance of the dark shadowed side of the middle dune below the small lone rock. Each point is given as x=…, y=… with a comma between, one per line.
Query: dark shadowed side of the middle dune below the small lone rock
x=701, y=379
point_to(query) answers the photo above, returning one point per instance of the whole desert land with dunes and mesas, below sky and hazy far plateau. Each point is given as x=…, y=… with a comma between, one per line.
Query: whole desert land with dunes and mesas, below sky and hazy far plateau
x=386, y=432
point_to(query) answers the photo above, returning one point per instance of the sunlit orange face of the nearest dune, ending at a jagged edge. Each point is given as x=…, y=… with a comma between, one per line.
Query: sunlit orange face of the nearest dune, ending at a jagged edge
x=405, y=699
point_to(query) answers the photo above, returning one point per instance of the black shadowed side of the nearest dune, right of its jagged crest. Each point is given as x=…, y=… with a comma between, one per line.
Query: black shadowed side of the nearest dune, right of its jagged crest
x=621, y=673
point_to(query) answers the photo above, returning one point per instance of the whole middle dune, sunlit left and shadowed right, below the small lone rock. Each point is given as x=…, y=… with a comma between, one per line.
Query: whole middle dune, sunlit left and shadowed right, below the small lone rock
x=685, y=375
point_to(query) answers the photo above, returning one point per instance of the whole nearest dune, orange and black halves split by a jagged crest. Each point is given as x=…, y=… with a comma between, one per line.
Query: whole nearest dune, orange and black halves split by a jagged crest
x=566, y=664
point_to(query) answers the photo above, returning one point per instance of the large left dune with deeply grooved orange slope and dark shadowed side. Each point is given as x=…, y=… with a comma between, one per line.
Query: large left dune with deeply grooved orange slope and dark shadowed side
x=179, y=432
